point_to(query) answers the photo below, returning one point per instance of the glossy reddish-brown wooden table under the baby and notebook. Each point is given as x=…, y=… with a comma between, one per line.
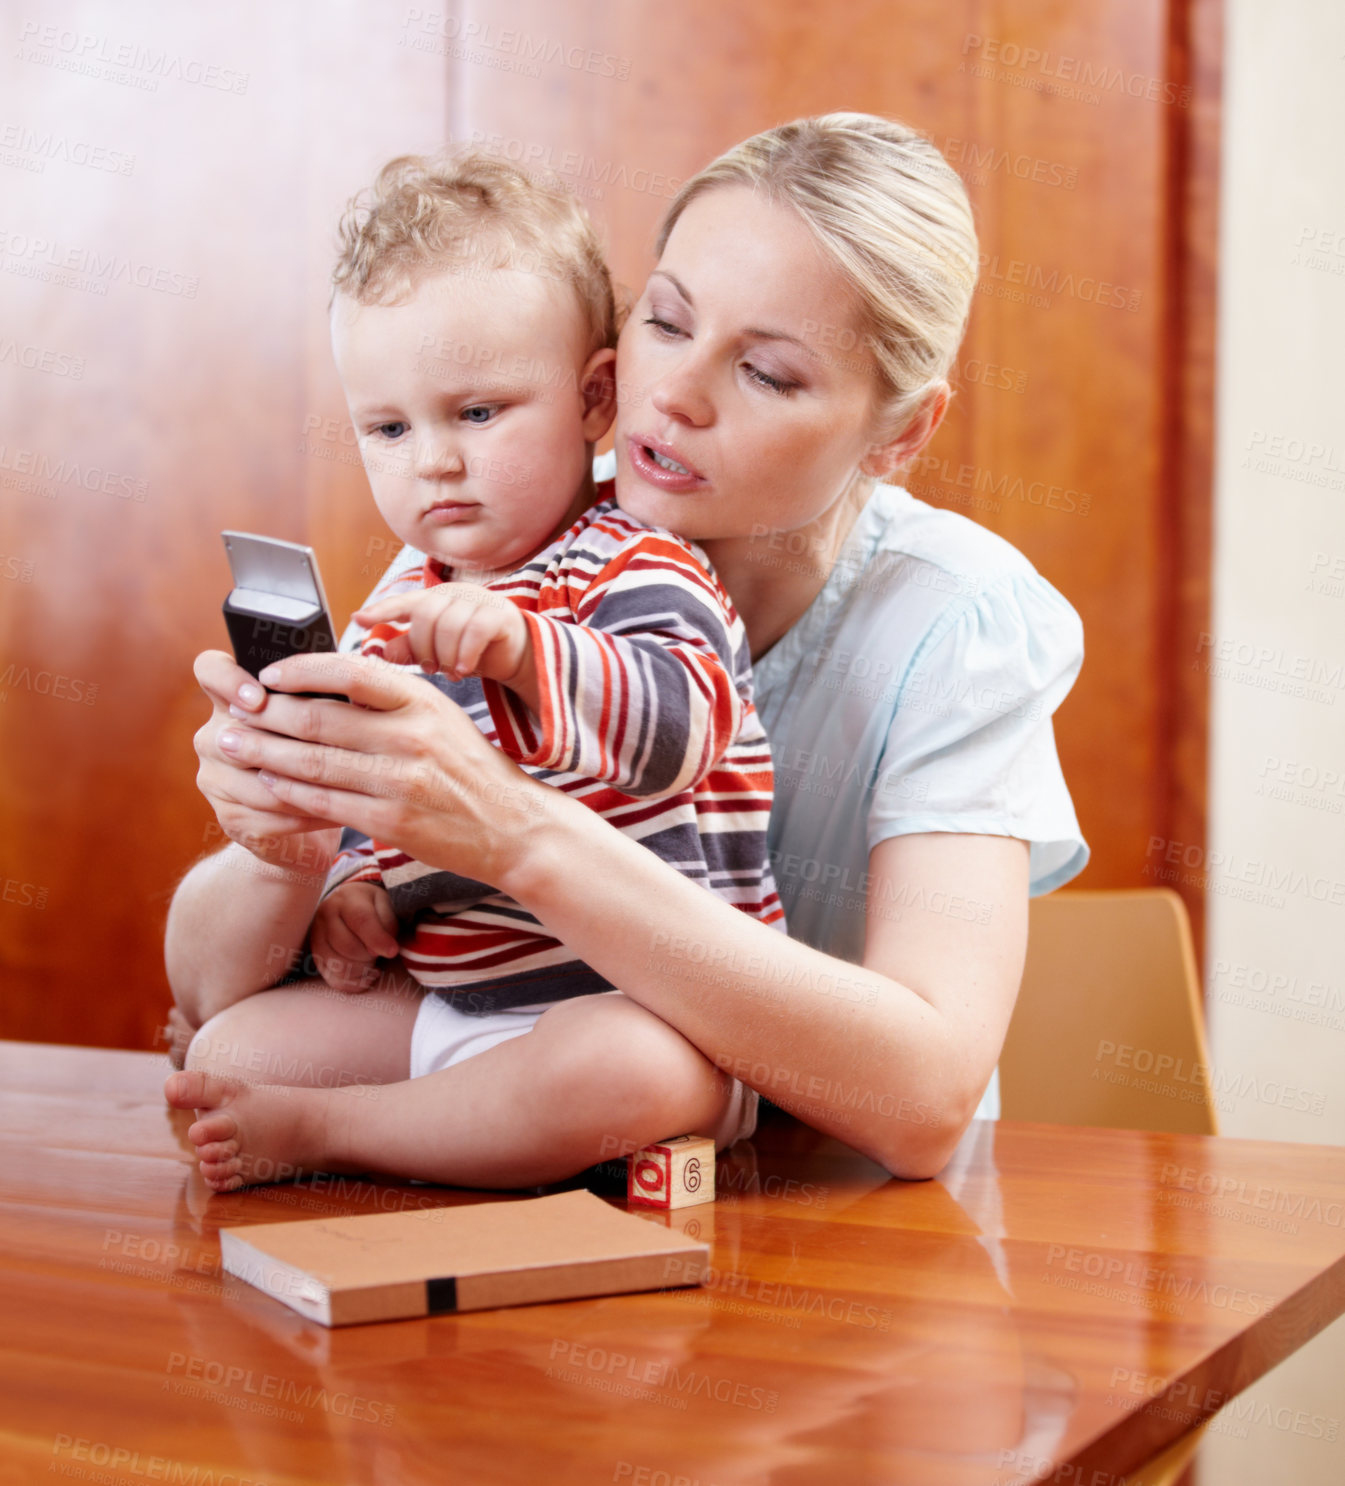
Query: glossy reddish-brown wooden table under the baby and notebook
x=1060, y=1305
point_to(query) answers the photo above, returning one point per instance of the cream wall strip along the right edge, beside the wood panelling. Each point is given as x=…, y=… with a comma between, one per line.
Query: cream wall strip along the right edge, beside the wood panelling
x=1277, y=842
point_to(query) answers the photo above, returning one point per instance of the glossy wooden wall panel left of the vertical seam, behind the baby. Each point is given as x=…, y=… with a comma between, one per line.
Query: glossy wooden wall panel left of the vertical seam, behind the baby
x=227, y=142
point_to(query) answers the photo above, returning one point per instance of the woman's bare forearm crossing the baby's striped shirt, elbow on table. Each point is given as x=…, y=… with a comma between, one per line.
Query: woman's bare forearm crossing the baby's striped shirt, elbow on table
x=851, y=1051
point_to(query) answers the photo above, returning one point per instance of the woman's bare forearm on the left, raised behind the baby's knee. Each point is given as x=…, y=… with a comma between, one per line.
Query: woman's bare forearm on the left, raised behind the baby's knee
x=236, y=925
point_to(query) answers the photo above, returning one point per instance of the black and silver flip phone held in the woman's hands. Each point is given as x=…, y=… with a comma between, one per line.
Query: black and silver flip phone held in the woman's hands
x=277, y=607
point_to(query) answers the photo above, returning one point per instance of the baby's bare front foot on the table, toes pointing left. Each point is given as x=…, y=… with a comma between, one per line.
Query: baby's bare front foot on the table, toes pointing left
x=253, y=1133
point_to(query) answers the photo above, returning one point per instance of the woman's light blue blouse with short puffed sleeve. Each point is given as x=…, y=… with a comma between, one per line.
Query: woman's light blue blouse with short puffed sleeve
x=916, y=695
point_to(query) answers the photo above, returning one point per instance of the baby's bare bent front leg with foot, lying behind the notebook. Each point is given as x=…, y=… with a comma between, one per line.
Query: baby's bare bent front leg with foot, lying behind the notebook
x=597, y=1075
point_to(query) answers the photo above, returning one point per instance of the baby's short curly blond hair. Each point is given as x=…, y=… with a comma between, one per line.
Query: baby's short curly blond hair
x=453, y=212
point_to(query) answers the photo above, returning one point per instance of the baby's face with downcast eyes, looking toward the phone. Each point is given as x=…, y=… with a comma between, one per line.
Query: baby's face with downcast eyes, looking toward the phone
x=469, y=406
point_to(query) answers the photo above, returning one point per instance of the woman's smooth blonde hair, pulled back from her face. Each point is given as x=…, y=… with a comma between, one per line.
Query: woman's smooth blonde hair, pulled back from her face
x=892, y=215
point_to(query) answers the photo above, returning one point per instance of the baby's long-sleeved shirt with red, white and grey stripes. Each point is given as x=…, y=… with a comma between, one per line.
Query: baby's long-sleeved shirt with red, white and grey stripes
x=647, y=717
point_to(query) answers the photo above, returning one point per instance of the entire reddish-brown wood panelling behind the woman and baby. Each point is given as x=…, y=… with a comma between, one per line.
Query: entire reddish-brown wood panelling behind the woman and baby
x=221, y=406
